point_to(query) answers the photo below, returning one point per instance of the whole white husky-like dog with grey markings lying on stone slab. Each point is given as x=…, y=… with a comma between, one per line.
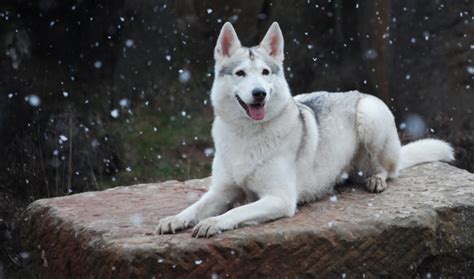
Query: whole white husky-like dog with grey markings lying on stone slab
x=275, y=151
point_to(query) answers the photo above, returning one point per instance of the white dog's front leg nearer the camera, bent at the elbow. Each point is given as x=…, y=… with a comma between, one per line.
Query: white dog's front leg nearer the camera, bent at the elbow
x=276, y=189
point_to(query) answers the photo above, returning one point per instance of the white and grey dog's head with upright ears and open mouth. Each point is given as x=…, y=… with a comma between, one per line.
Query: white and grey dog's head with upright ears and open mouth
x=249, y=83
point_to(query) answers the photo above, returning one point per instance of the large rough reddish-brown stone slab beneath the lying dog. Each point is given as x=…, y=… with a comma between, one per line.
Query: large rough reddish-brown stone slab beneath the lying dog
x=422, y=225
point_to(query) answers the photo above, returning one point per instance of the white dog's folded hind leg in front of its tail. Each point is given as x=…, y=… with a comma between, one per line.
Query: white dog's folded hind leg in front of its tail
x=379, y=140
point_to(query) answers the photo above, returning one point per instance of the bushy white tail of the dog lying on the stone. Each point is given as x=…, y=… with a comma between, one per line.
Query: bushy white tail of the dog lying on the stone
x=426, y=150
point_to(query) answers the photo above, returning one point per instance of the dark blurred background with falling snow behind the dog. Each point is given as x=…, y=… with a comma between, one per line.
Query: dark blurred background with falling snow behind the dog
x=95, y=94
